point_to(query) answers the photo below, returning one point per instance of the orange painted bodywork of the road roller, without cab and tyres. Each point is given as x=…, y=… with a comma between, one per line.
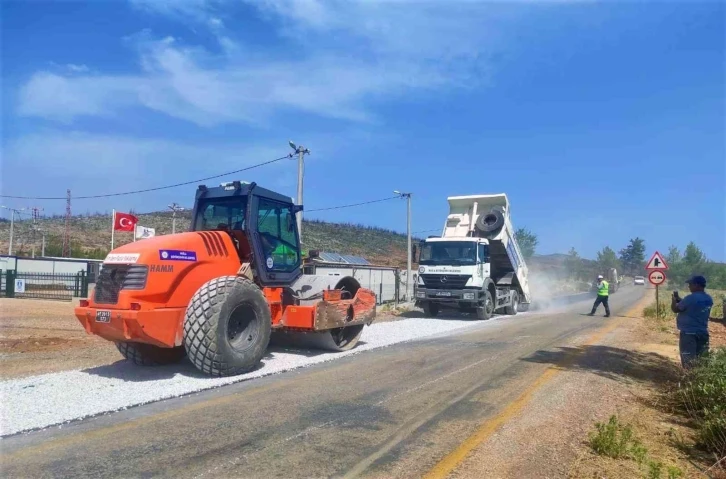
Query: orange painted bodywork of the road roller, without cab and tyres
x=149, y=284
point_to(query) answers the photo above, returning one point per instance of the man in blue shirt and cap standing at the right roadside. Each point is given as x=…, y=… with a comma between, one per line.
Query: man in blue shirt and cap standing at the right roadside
x=693, y=313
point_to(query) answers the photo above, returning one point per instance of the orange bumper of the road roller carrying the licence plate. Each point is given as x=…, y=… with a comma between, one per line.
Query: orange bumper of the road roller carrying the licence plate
x=160, y=327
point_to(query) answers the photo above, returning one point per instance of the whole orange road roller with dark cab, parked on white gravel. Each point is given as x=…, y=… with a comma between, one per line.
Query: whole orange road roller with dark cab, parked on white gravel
x=218, y=292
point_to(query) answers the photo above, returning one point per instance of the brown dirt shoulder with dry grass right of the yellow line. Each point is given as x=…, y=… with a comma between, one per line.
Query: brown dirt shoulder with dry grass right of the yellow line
x=622, y=374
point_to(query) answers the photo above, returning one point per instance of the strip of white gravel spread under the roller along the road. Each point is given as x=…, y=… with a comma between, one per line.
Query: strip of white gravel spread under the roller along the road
x=52, y=399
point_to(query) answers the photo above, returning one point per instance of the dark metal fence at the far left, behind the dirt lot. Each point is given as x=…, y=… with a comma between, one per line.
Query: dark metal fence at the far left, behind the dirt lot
x=58, y=286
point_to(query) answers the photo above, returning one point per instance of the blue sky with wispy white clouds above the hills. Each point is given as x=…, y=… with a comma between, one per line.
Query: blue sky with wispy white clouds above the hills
x=602, y=121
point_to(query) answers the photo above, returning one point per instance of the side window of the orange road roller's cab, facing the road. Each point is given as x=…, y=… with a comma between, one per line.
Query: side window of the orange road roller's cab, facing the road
x=278, y=235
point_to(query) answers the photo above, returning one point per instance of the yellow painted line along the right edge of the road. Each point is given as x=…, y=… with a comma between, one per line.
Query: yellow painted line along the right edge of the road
x=452, y=460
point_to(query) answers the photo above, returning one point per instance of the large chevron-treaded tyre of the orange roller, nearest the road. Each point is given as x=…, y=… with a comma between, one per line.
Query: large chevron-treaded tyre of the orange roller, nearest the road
x=227, y=326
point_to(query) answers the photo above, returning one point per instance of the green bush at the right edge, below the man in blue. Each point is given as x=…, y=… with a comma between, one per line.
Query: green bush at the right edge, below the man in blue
x=702, y=394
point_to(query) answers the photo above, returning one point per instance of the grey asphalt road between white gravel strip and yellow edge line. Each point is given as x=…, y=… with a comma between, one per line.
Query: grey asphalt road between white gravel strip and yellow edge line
x=392, y=412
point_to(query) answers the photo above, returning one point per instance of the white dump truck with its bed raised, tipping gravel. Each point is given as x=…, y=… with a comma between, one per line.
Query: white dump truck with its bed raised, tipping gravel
x=475, y=265
